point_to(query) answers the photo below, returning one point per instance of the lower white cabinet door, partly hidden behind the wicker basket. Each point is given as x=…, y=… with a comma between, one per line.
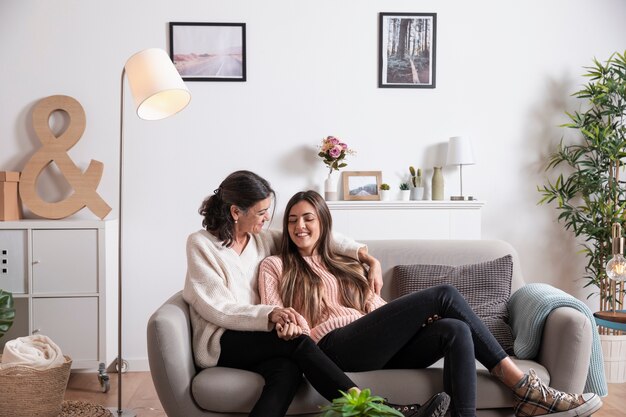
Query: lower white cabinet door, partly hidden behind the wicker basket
x=72, y=323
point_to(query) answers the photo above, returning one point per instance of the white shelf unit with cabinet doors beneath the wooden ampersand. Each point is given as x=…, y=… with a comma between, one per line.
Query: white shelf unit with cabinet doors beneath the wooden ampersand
x=57, y=271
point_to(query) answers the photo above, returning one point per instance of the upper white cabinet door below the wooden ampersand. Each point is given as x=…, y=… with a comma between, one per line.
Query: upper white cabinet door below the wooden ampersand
x=65, y=261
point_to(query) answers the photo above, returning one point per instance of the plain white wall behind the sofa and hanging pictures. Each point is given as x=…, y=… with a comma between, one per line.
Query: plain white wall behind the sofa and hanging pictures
x=505, y=72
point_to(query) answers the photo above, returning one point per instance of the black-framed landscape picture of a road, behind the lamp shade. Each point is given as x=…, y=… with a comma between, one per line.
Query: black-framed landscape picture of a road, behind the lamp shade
x=209, y=51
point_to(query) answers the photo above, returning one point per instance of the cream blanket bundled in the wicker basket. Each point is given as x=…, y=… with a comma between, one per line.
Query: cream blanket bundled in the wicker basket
x=36, y=351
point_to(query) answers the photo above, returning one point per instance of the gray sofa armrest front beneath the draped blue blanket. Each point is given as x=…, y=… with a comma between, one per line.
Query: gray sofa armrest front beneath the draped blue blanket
x=566, y=349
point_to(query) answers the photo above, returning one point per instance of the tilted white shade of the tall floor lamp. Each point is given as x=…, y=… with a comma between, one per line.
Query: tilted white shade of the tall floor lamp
x=156, y=86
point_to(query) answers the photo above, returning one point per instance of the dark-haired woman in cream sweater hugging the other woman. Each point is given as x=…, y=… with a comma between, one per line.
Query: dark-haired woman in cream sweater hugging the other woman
x=230, y=327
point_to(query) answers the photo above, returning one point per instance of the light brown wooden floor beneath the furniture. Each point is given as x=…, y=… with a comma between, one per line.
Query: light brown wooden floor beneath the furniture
x=139, y=394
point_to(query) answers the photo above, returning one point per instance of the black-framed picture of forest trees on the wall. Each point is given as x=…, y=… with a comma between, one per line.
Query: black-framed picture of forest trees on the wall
x=407, y=45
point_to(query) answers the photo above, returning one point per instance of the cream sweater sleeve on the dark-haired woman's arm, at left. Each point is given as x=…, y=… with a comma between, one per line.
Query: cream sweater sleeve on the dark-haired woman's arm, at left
x=206, y=291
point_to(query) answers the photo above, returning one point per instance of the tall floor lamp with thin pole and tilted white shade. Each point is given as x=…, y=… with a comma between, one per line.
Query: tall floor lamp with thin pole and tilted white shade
x=158, y=92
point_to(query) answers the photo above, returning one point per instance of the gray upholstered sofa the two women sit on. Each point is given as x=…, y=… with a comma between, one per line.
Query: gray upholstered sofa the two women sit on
x=186, y=391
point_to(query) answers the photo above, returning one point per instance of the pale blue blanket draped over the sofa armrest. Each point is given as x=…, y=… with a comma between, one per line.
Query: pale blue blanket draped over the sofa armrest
x=538, y=301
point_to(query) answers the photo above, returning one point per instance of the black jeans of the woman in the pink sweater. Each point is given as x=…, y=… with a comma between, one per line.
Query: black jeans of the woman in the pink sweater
x=393, y=336
